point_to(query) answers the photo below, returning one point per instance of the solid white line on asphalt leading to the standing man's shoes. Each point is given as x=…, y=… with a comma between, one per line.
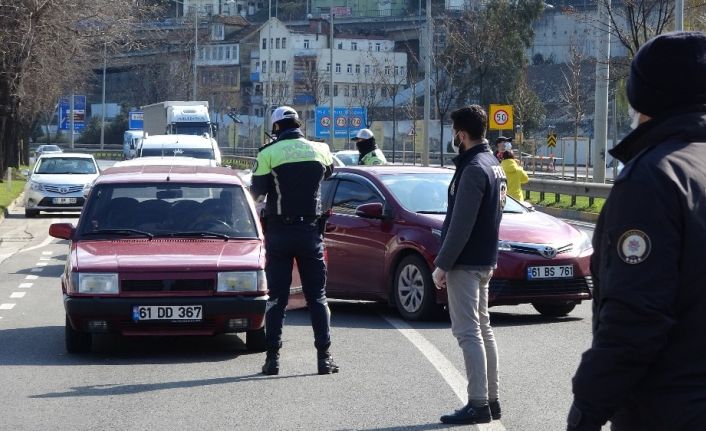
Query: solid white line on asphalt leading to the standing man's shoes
x=450, y=374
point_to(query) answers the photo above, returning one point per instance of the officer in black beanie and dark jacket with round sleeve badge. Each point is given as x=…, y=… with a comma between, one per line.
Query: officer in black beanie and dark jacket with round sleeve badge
x=646, y=368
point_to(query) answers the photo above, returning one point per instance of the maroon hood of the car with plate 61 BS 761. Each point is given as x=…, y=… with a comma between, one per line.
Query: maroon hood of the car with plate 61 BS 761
x=532, y=227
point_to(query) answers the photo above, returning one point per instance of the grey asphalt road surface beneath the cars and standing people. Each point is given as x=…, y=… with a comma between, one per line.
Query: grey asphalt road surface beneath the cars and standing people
x=394, y=375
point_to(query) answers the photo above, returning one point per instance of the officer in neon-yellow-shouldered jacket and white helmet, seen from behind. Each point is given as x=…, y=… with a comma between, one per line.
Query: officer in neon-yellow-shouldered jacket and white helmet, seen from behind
x=289, y=173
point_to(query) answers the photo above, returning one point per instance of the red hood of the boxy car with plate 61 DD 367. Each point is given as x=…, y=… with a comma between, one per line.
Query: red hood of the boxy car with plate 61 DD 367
x=169, y=254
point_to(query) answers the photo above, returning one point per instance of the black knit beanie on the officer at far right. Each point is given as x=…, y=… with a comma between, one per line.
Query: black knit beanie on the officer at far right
x=668, y=72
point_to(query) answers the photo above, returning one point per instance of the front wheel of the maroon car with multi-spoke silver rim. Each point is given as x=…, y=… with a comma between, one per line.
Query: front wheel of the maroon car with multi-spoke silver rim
x=414, y=290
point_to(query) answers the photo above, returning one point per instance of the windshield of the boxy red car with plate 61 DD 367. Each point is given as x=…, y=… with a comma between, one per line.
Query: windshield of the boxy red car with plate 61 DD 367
x=168, y=209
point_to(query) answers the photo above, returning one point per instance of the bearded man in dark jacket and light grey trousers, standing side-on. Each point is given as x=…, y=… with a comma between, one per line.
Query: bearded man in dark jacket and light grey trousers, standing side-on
x=467, y=257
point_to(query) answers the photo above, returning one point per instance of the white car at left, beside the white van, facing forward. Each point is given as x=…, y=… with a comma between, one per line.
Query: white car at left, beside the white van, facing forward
x=57, y=182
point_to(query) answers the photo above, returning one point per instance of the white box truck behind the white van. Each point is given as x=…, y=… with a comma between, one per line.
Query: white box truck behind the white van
x=177, y=118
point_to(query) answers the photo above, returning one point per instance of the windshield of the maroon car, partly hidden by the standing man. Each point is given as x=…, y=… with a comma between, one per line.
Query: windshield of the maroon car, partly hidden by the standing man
x=427, y=193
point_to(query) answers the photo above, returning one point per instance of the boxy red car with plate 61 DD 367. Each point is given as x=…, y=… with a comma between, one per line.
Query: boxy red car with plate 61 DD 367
x=164, y=250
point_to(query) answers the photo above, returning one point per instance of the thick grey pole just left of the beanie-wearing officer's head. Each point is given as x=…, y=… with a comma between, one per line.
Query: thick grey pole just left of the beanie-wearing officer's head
x=600, y=120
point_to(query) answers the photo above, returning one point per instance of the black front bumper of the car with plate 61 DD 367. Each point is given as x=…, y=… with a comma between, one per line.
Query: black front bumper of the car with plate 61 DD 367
x=117, y=313
